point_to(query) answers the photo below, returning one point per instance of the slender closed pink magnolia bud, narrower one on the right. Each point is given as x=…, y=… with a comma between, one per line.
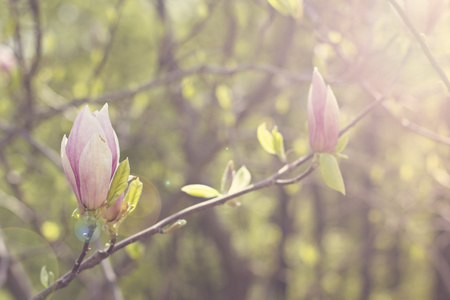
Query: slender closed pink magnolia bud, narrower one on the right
x=323, y=115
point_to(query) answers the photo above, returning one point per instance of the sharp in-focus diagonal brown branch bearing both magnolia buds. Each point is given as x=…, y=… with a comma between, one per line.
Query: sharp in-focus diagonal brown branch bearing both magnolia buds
x=273, y=180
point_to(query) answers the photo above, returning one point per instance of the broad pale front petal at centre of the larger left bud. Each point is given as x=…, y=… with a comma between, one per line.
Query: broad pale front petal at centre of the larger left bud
x=95, y=172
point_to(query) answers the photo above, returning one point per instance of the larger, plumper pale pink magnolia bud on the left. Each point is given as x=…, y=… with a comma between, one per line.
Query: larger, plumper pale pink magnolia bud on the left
x=90, y=157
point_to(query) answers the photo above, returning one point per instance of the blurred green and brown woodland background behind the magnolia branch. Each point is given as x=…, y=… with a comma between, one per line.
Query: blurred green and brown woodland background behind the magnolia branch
x=188, y=82
